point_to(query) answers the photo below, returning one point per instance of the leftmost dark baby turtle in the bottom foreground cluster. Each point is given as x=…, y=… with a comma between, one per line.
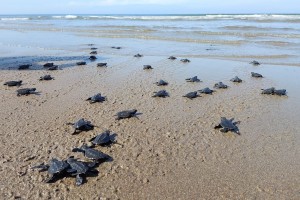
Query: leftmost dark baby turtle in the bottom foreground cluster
x=55, y=168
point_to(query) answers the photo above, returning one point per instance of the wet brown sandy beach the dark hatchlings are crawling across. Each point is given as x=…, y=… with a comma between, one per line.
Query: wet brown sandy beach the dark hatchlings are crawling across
x=172, y=151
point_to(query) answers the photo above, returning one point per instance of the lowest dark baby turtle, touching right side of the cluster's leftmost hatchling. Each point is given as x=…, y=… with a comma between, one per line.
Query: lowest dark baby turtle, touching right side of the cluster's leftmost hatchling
x=79, y=168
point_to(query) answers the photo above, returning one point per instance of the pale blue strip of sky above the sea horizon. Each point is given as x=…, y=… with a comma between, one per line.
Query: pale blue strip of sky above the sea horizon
x=148, y=6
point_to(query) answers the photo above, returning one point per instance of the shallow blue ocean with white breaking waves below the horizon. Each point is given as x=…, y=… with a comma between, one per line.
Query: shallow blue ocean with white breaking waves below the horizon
x=269, y=38
